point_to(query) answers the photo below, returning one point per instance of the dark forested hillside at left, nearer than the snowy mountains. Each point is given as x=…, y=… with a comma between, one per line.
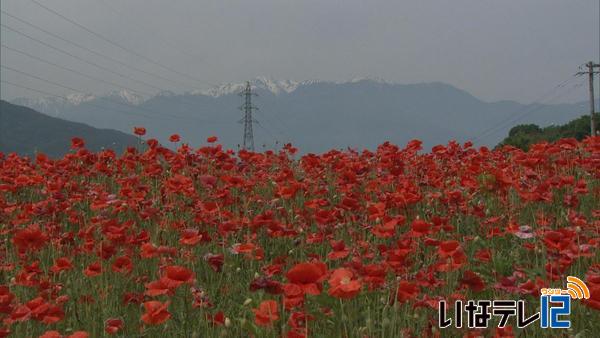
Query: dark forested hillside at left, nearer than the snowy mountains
x=26, y=132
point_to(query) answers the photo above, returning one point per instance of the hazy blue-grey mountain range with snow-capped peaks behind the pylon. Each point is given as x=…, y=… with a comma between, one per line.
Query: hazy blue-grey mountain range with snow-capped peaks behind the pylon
x=313, y=115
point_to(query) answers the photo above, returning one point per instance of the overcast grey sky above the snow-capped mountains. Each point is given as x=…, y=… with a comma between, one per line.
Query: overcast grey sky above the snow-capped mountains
x=495, y=49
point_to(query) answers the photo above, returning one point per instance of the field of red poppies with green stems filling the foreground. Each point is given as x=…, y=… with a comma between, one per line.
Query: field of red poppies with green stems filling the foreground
x=211, y=242
